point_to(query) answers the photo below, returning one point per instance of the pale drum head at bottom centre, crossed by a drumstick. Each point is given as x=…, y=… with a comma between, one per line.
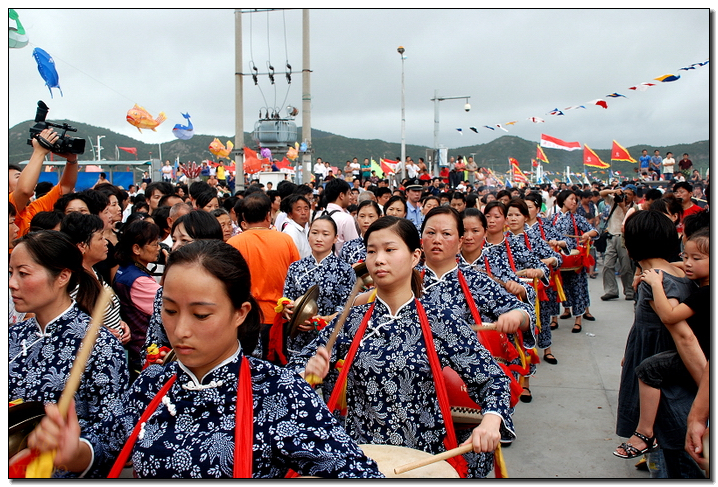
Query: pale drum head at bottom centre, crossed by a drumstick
x=389, y=457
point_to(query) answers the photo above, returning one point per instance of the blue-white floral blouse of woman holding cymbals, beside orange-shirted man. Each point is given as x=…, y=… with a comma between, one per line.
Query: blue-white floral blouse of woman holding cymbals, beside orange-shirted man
x=335, y=279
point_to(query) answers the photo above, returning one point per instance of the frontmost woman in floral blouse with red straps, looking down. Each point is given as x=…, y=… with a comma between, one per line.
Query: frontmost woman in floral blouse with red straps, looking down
x=214, y=412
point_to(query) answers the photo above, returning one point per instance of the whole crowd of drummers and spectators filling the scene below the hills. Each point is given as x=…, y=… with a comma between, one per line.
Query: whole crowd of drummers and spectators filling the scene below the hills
x=209, y=365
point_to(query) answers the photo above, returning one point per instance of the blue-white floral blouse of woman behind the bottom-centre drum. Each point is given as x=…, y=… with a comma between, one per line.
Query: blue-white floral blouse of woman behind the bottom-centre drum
x=390, y=391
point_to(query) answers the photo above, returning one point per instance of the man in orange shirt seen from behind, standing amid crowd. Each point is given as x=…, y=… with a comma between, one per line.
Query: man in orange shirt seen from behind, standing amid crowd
x=268, y=254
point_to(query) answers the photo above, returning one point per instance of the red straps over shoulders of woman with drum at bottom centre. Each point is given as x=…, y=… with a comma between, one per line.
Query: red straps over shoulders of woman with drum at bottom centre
x=458, y=462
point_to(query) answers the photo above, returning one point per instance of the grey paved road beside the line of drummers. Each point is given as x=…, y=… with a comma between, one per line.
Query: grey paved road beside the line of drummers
x=568, y=430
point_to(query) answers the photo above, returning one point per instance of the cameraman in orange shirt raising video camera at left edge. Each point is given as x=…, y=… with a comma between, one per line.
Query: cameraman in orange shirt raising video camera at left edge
x=23, y=190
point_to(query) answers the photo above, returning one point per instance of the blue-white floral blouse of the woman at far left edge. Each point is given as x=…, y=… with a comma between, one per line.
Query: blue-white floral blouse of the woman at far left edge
x=40, y=363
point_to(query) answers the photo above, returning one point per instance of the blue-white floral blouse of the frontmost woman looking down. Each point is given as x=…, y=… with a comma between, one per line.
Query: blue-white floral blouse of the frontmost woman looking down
x=191, y=434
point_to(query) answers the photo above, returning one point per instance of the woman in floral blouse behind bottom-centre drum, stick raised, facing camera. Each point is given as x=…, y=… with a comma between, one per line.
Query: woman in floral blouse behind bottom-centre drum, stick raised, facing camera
x=395, y=348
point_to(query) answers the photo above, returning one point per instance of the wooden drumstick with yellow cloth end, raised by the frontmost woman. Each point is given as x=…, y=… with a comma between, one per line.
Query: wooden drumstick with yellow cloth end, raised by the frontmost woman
x=42, y=466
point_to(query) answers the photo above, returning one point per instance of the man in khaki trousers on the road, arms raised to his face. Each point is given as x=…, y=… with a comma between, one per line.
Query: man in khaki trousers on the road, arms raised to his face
x=619, y=200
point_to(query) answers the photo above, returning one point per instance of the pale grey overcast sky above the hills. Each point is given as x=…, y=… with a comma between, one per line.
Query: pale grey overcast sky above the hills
x=513, y=63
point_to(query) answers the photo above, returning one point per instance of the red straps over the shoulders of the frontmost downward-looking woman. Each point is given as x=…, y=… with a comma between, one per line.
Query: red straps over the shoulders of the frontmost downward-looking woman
x=243, y=428
